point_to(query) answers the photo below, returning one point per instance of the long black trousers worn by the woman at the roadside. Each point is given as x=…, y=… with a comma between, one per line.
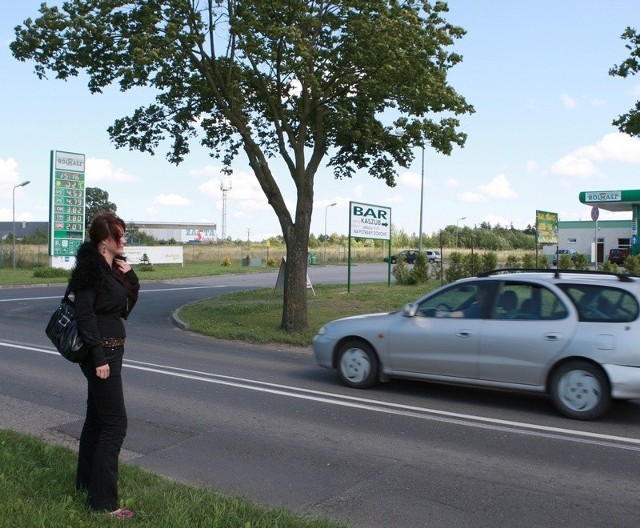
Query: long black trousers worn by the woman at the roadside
x=104, y=429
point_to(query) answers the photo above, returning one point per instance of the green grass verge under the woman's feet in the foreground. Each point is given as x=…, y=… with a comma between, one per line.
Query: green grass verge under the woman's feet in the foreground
x=37, y=489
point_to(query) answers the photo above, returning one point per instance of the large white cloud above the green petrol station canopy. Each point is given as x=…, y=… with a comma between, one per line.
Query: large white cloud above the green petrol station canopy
x=582, y=162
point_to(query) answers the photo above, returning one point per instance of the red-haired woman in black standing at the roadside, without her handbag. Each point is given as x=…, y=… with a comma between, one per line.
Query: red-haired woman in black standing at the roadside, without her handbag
x=105, y=289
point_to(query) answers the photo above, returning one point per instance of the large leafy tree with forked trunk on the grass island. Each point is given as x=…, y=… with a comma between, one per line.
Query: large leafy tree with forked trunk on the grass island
x=359, y=83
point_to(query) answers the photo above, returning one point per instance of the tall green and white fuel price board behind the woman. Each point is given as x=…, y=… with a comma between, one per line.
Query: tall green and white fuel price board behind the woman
x=67, y=203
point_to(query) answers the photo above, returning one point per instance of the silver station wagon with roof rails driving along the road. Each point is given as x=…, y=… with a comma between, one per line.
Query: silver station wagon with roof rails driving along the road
x=573, y=335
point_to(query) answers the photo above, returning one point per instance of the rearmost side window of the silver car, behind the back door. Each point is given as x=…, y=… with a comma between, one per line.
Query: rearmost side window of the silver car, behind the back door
x=602, y=303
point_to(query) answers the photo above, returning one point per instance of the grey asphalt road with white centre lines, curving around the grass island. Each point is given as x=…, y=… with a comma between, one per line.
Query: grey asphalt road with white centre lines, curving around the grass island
x=267, y=423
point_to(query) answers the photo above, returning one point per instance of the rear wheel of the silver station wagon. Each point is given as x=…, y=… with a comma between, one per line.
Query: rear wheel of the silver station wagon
x=580, y=390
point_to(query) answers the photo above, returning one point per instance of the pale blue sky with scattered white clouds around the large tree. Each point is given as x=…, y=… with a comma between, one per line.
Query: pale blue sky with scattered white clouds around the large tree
x=535, y=71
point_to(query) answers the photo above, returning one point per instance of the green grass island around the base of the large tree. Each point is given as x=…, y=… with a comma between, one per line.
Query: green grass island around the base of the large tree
x=255, y=315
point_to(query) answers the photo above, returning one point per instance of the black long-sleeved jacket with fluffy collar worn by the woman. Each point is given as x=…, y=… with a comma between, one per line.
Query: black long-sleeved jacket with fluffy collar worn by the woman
x=102, y=300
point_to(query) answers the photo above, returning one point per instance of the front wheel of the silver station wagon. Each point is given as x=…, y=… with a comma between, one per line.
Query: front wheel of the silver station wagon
x=357, y=364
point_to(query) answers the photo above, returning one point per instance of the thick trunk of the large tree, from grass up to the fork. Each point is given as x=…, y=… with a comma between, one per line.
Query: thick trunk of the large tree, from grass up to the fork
x=294, y=312
